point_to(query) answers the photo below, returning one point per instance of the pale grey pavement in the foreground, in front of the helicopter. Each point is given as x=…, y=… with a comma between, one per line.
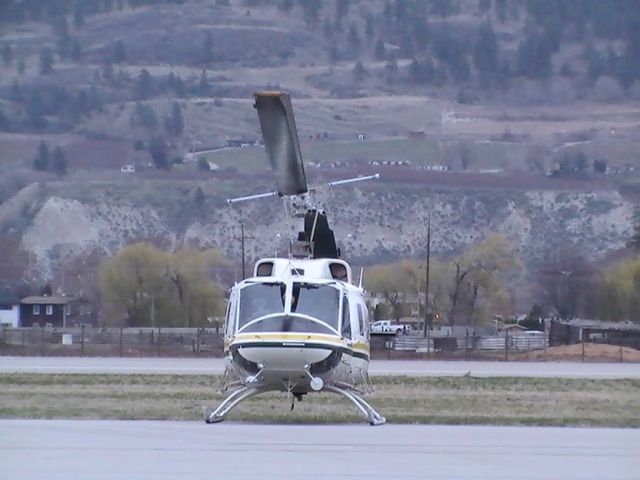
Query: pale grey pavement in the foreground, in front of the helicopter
x=62, y=449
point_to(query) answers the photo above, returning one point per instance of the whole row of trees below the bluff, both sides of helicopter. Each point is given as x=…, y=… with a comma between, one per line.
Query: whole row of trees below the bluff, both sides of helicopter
x=146, y=285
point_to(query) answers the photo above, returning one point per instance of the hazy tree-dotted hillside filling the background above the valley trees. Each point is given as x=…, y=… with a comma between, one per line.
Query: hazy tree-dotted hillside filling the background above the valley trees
x=532, y=109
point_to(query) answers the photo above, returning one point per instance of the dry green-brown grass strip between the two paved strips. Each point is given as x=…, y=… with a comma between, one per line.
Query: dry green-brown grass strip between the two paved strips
x=449, y=400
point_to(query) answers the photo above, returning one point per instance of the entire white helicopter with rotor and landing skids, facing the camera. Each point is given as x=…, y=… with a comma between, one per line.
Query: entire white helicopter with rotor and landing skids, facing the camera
x=299, y=324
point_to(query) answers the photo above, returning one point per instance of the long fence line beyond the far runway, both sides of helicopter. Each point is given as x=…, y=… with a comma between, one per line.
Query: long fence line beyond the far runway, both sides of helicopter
x=184, y=342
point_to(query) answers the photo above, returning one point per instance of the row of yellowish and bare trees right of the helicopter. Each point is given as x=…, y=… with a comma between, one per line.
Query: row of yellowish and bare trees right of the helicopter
x=483, y=282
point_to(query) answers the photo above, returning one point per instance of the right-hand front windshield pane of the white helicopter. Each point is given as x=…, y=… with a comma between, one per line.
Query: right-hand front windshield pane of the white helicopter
x=317, y=301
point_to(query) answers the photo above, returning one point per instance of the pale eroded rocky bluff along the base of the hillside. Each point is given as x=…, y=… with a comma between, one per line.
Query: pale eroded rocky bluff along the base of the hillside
x=374, y=223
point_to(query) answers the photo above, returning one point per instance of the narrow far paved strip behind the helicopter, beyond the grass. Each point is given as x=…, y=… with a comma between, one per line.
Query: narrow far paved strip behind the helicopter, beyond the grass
x=193, y=366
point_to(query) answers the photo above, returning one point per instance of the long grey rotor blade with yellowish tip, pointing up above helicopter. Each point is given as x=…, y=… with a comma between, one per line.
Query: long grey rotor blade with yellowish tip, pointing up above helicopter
x=281, y=141
